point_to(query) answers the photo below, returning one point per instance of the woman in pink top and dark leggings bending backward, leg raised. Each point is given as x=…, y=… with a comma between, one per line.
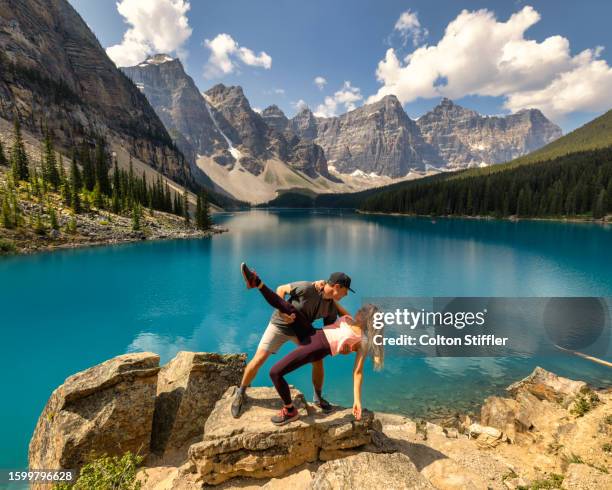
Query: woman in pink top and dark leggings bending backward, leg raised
x=356, y=333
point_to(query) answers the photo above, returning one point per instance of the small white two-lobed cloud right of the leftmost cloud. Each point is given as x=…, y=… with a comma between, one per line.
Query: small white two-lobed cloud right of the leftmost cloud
x=225, y=54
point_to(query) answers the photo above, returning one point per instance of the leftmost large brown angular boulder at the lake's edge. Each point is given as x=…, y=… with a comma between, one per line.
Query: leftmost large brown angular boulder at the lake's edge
x=105, y=409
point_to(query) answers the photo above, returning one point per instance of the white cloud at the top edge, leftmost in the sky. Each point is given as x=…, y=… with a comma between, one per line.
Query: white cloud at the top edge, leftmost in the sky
x=155, y=26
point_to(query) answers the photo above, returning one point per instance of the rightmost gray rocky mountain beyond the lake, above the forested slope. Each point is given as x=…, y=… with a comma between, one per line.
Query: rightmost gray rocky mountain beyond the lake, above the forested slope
x=464, y=138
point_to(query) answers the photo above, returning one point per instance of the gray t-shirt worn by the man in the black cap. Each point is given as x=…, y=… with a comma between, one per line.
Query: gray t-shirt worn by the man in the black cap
x=305, y=297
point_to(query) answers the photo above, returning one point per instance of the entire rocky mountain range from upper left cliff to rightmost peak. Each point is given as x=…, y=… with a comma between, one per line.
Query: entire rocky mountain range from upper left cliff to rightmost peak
x=57, y=77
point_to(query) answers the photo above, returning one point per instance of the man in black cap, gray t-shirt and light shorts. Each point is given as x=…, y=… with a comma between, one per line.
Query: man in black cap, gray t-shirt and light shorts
x=314, y=300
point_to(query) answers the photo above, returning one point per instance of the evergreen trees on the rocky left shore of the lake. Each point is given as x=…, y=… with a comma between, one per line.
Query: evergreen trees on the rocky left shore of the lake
x=94, y=180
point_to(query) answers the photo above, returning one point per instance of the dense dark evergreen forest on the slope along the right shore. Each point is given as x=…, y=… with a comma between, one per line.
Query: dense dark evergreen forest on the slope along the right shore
x=578, y=184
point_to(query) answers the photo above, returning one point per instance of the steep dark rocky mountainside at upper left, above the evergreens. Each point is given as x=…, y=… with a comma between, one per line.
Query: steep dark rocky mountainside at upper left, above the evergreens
x=54, y=72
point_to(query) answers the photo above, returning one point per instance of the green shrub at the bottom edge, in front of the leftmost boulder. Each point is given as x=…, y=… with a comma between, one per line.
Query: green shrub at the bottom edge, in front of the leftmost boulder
x=107, y=473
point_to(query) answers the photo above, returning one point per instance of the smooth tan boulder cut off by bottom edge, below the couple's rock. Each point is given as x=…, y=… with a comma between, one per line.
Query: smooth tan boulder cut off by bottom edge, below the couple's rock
x=371, y=471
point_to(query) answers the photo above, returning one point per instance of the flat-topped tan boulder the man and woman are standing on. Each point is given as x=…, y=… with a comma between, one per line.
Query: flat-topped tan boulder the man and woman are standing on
x=252, y=446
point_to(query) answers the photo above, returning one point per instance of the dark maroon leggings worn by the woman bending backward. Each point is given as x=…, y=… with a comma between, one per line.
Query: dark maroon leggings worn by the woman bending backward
x=313, y=344
